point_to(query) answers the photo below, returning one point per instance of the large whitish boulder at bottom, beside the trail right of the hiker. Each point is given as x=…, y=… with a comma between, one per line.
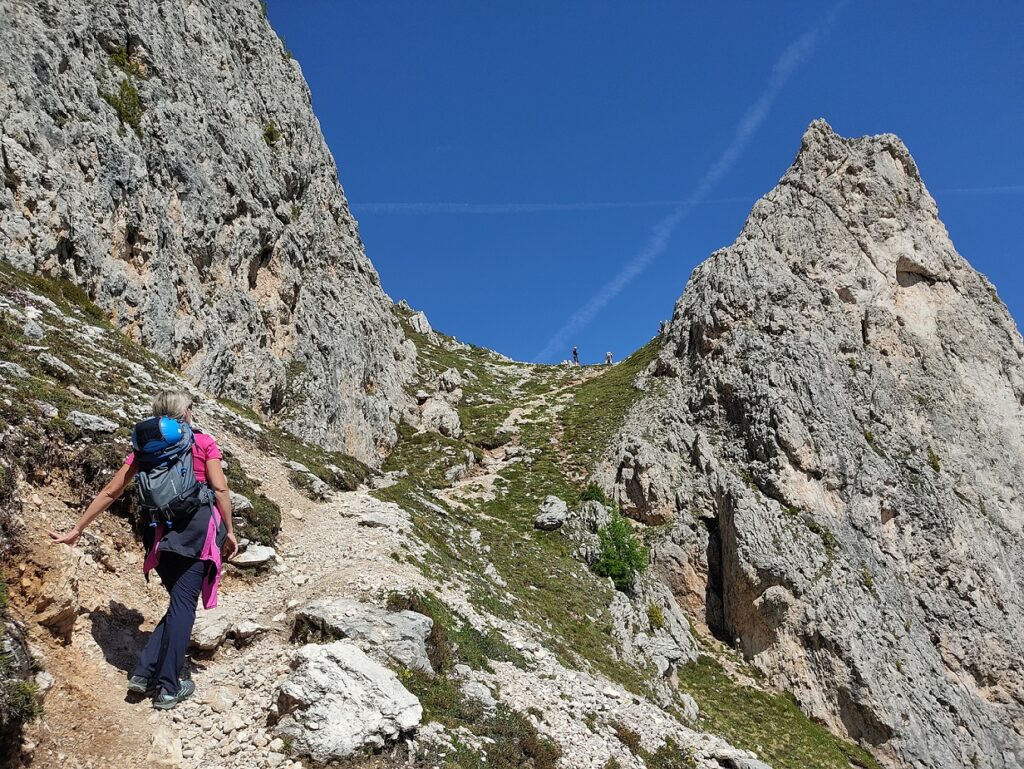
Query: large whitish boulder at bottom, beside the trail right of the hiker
x=337, y=703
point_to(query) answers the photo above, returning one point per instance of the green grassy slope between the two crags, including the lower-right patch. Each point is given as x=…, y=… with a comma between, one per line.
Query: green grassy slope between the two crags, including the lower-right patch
x=547, y=587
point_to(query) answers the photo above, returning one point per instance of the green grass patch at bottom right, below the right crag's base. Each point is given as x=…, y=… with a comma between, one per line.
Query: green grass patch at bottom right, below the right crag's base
x=769, y=723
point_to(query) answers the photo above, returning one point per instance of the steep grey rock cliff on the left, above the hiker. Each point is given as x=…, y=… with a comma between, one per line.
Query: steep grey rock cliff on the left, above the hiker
x=217, y=233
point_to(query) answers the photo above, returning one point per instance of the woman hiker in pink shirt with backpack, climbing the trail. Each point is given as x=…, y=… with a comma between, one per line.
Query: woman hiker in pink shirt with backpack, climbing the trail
x=188, y=536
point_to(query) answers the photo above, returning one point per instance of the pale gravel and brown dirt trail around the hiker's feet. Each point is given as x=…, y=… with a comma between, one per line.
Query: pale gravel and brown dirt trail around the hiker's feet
x=91, y=721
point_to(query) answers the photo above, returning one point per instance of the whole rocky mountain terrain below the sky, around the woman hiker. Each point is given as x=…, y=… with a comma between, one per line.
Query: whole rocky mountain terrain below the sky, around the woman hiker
x=786, y=534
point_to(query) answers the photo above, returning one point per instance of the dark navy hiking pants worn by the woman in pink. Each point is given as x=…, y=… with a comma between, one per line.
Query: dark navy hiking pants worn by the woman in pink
x=165, y=652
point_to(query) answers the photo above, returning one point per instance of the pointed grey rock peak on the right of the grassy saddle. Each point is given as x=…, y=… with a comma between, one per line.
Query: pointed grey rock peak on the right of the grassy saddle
x=834, y=430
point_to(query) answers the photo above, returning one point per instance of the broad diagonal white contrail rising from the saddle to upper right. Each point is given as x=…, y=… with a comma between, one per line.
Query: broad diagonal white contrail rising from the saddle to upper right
x=795, y=55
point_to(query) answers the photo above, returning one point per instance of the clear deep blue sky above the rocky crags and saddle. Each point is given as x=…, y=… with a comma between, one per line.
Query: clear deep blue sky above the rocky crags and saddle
x=563, y=104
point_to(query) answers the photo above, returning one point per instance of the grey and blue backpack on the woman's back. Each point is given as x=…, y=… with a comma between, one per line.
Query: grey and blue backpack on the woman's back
x=168, y=491
